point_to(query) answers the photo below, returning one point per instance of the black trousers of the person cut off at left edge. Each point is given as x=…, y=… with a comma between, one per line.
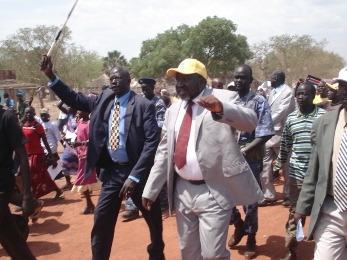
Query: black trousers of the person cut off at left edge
x=10, y=237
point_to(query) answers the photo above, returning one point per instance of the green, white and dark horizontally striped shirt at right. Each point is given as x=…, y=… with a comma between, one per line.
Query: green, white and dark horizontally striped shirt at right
x=296, y=138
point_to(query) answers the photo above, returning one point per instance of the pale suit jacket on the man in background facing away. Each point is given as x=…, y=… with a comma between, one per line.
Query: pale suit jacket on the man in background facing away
x=281, y=106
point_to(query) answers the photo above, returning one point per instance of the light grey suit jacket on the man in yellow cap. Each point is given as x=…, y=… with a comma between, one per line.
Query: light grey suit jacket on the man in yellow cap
x=224, y=168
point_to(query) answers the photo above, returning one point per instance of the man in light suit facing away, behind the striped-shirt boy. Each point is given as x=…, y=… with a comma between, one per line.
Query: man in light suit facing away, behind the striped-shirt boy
x=282, y=103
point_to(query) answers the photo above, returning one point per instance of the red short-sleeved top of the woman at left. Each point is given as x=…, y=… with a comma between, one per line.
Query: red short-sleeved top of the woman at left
x=32, y=132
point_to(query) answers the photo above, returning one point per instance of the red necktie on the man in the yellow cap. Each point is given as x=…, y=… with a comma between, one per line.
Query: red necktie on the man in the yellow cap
x=180, y=157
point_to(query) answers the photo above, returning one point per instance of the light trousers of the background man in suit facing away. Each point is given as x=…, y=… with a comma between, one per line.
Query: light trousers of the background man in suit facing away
x=266, y=177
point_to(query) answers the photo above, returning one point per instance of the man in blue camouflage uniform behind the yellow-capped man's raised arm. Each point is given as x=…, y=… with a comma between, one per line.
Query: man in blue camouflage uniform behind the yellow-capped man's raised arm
x=252, y=145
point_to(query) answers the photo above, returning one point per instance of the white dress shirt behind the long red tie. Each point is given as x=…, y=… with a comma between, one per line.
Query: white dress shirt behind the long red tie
x=191, y=170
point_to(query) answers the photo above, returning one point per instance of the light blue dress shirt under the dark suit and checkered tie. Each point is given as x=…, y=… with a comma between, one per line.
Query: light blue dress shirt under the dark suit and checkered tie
x=119, y=155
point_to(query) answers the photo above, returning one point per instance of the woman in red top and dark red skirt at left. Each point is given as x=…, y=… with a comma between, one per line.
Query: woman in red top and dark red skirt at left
x=41, y=182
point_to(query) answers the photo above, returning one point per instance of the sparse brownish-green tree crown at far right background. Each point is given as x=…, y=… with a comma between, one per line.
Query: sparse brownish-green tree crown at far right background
x=298, y=56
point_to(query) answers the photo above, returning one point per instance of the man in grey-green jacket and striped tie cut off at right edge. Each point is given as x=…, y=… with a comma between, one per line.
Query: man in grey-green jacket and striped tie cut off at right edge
x=324, y=191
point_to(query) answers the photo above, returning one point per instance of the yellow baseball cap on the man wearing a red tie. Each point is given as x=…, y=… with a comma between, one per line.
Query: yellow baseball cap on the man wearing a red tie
x=188, y=66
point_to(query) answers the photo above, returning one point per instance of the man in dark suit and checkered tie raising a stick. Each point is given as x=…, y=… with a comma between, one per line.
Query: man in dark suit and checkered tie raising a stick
x=126, y=162
